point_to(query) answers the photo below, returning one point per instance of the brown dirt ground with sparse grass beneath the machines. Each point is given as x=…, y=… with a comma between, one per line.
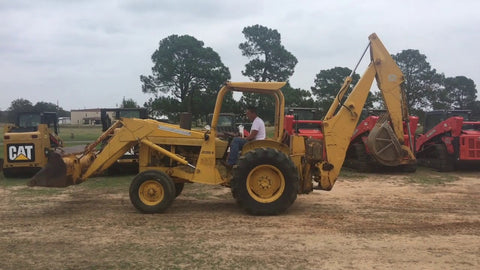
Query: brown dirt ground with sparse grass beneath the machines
x=367, y=221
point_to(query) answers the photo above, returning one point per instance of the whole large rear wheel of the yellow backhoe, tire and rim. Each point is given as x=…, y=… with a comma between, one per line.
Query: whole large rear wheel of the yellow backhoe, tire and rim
x=265, y=182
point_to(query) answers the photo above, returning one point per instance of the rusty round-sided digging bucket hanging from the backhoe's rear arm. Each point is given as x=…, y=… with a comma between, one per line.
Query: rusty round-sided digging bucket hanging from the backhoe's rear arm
x=384, y=145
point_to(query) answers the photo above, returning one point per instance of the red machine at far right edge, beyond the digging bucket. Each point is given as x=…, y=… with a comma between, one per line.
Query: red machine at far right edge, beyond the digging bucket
x=449, y=141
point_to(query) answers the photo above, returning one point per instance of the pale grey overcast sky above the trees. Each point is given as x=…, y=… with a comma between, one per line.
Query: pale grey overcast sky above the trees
x=90, y=53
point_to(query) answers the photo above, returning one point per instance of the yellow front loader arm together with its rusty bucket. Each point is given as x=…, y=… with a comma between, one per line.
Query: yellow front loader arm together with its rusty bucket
x=120, y=137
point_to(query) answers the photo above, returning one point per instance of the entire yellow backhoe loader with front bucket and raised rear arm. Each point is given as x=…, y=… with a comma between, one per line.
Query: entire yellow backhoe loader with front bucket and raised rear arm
x=269, y=174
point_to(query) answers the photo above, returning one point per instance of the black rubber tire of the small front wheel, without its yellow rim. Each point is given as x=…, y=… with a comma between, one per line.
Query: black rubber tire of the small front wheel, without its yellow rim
x=160, y=177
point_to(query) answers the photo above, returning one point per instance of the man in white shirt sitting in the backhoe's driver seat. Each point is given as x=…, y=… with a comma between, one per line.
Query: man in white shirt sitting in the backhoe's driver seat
x=257, y=132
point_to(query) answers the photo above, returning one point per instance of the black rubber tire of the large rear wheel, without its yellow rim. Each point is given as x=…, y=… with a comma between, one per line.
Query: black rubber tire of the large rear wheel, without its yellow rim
x=264, y=156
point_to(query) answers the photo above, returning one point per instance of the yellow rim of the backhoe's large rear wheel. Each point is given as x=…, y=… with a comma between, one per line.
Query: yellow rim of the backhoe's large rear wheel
x=265, y=183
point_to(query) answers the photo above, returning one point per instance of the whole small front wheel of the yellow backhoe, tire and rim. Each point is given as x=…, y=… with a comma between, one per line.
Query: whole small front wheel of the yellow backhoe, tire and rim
x=152, y=191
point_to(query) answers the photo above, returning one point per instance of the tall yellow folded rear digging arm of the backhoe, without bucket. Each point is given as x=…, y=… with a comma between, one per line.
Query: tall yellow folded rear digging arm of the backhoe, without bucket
x=339, y=123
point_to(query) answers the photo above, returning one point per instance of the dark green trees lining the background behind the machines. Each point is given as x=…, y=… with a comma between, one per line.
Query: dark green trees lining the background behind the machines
x=186, y=76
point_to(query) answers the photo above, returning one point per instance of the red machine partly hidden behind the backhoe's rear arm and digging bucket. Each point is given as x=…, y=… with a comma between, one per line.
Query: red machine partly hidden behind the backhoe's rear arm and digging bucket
x=359, y=154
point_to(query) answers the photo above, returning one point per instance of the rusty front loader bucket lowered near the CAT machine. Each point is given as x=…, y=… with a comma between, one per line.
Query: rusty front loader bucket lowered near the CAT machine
x=54, y=174
